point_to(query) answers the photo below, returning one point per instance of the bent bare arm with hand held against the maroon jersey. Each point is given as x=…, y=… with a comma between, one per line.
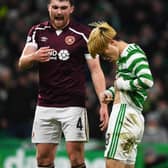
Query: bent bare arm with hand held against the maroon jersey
x=31, y=55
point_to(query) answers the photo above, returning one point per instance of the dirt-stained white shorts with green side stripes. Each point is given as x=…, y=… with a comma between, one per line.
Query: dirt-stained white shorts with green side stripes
x=125, y=131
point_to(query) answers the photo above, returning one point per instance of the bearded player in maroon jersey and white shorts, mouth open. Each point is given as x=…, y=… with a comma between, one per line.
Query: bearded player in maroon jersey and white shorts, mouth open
x=60, y=47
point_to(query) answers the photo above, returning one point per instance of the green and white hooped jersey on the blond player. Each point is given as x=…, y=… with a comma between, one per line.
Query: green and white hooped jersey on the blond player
x=133, y=68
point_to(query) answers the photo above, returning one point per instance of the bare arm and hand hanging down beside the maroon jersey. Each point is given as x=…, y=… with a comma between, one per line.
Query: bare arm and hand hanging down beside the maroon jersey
x=99, y=85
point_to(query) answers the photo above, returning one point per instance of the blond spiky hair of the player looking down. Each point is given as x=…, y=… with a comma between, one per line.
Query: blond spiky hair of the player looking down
x=99, y=37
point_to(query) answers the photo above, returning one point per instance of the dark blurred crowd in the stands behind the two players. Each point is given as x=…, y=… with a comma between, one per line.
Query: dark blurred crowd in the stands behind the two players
x=140, y=21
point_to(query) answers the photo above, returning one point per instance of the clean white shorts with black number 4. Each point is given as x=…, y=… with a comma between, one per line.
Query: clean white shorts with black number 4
x=50, y=122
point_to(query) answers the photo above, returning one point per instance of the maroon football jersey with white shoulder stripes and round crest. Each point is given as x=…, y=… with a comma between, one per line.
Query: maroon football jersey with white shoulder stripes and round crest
x=62, y=79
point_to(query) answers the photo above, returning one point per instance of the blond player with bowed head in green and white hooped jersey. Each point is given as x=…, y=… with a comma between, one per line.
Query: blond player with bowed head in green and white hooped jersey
x=133, y=78
